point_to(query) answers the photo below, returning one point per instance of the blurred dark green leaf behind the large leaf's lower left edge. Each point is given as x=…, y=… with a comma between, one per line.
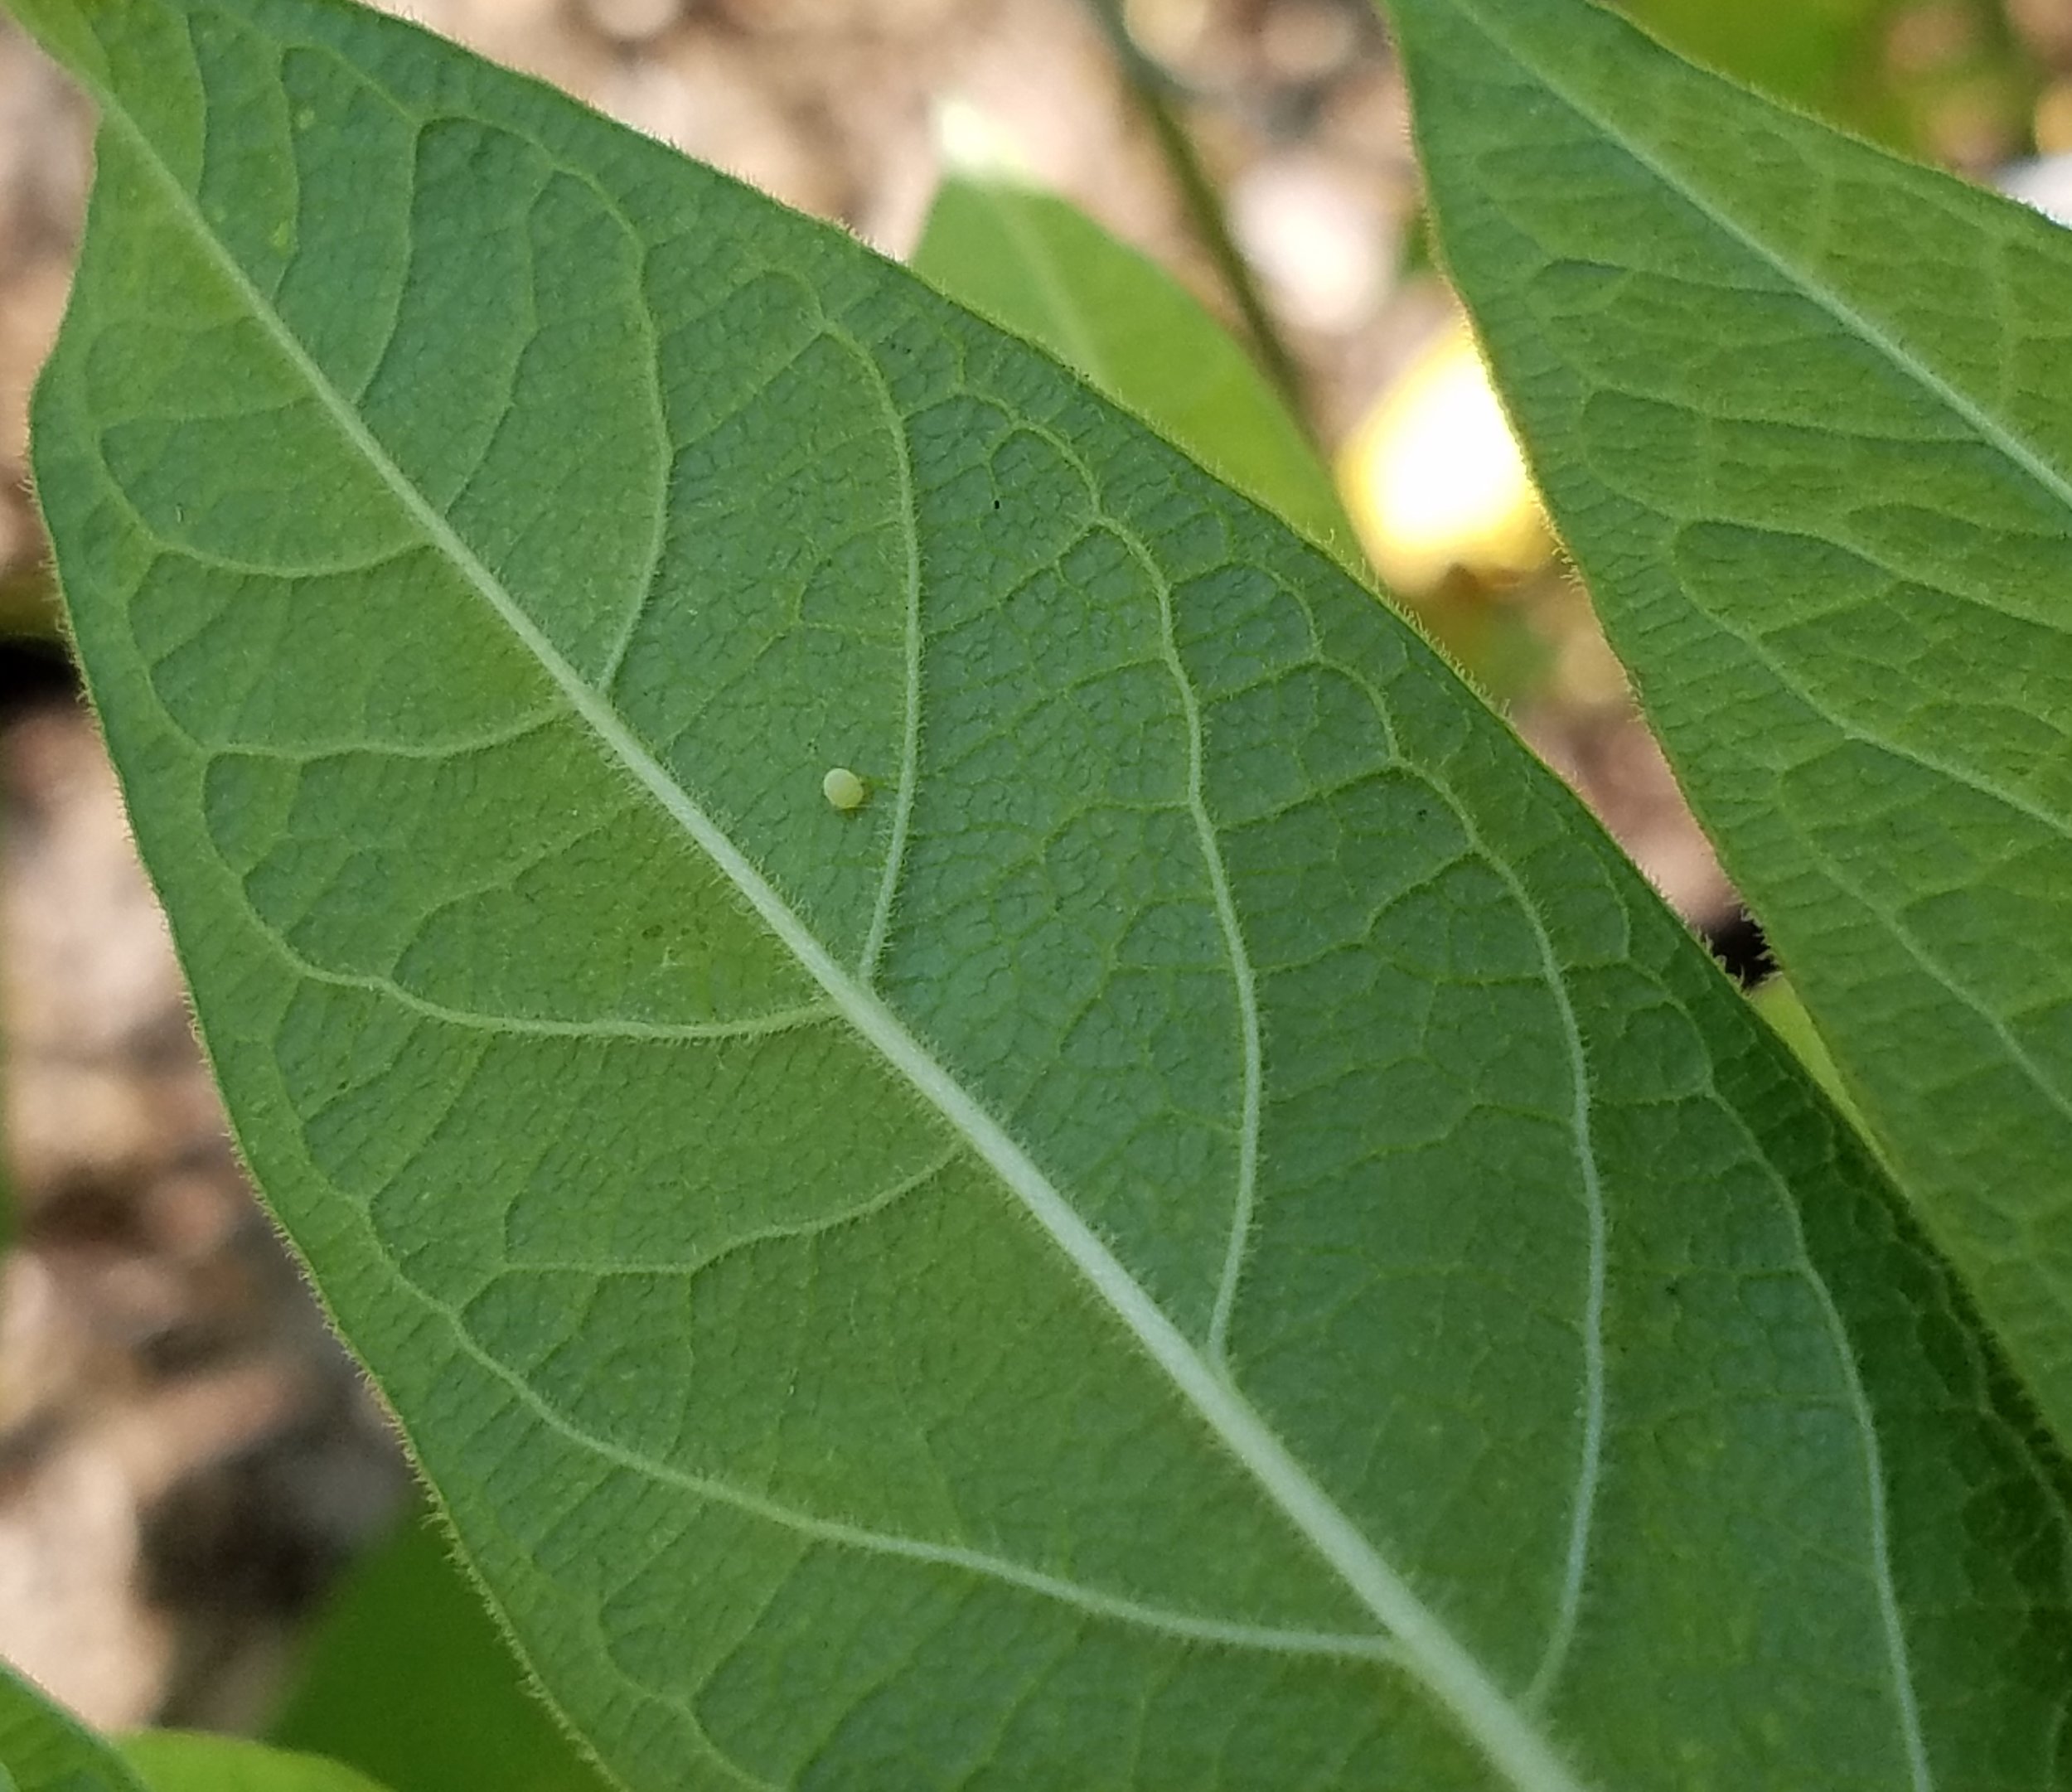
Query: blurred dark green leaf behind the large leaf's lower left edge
x=411, y=1683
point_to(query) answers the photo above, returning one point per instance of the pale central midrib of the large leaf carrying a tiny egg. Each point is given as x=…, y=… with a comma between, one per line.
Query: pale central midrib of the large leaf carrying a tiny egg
x=1449, y=1673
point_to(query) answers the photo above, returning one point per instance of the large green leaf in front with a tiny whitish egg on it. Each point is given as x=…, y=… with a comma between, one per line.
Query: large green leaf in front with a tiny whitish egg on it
x=1207, y=1234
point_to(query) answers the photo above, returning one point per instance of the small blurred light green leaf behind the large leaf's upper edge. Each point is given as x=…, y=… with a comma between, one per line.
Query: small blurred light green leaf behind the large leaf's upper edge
x=1045, y=270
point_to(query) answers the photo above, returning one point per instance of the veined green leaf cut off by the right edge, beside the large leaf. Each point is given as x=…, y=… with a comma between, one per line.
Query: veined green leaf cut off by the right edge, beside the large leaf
x=1806, y=420
